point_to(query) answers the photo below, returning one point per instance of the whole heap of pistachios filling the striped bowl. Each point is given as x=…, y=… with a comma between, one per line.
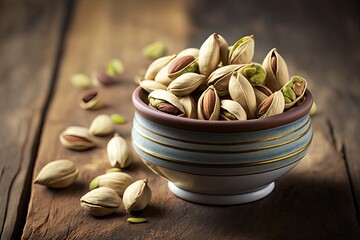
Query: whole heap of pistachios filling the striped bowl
x=220, y=82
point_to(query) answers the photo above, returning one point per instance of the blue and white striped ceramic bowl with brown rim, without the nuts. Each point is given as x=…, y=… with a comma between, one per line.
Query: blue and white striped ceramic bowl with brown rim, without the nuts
x=220, y=162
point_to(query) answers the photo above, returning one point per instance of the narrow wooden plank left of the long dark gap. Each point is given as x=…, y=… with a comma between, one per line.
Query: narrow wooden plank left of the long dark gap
x=29, y=37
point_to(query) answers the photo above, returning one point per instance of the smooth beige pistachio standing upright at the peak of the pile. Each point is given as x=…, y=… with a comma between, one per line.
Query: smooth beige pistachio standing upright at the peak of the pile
x=209, y=55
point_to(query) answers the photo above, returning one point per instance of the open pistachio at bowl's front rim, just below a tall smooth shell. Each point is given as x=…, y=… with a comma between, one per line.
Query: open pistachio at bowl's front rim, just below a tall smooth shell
x=231, y=110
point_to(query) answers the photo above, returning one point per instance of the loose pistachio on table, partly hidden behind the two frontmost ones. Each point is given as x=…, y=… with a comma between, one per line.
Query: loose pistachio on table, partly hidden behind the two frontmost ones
x=118, y=181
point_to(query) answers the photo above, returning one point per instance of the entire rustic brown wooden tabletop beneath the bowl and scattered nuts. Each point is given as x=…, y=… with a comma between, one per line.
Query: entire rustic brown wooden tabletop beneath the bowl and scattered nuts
x=42, y=43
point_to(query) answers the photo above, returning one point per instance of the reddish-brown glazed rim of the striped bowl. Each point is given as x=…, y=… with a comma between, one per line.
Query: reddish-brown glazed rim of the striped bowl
x=139, y=97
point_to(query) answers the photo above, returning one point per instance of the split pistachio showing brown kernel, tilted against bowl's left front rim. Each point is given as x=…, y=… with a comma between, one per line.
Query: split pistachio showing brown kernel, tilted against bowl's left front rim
x=164, y=98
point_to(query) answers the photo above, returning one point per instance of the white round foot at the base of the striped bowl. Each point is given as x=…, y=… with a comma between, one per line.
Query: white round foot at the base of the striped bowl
x=211, y=199
